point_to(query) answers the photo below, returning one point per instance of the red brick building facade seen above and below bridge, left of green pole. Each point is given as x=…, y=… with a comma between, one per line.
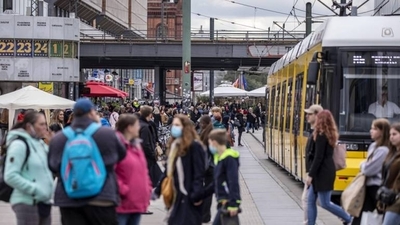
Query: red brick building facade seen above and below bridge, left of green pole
x=164, y=22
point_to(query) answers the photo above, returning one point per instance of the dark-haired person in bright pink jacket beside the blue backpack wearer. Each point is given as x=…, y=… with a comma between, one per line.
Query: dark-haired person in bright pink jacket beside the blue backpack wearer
x=134, y=183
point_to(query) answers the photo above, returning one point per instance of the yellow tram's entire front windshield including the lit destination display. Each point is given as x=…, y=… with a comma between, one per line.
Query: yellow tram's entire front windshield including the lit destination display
x=371, y=89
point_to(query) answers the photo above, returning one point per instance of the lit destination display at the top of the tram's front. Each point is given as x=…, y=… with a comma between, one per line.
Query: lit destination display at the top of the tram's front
x=391, y=59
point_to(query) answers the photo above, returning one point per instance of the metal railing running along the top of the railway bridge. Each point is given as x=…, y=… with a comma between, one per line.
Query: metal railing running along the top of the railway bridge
x=198, y=36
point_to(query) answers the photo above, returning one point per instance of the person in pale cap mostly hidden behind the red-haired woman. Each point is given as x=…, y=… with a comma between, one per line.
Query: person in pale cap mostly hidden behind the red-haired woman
x=311, y=115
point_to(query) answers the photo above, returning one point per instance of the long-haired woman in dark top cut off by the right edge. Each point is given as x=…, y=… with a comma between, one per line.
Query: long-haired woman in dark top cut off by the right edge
x=391, y=177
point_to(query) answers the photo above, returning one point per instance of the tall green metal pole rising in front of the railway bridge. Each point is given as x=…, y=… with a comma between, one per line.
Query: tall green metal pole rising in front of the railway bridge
x=186, y=48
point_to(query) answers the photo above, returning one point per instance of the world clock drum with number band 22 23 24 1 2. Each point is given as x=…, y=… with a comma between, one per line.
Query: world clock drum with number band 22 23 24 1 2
x=39, y=49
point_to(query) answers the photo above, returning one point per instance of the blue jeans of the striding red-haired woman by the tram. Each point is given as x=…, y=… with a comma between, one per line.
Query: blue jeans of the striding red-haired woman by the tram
x=325, y=202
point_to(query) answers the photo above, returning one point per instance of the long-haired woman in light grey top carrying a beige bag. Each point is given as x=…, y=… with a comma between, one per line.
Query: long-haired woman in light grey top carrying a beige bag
x=372, y=167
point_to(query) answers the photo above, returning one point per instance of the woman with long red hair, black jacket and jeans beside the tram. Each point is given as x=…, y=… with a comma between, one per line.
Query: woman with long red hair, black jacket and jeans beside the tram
x=322, y=173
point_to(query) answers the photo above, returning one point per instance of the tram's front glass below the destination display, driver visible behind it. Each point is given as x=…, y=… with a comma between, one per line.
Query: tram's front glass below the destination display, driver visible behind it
x=369, y=93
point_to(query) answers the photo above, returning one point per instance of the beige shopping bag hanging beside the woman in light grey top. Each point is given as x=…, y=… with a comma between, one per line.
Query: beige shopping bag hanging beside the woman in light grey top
x=353, y=196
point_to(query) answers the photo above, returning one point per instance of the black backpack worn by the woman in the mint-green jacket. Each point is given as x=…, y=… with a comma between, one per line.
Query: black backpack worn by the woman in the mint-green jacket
x=5, y=189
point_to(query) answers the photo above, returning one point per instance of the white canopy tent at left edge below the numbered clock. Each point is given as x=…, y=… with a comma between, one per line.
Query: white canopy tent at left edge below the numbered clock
x=31, y=98
